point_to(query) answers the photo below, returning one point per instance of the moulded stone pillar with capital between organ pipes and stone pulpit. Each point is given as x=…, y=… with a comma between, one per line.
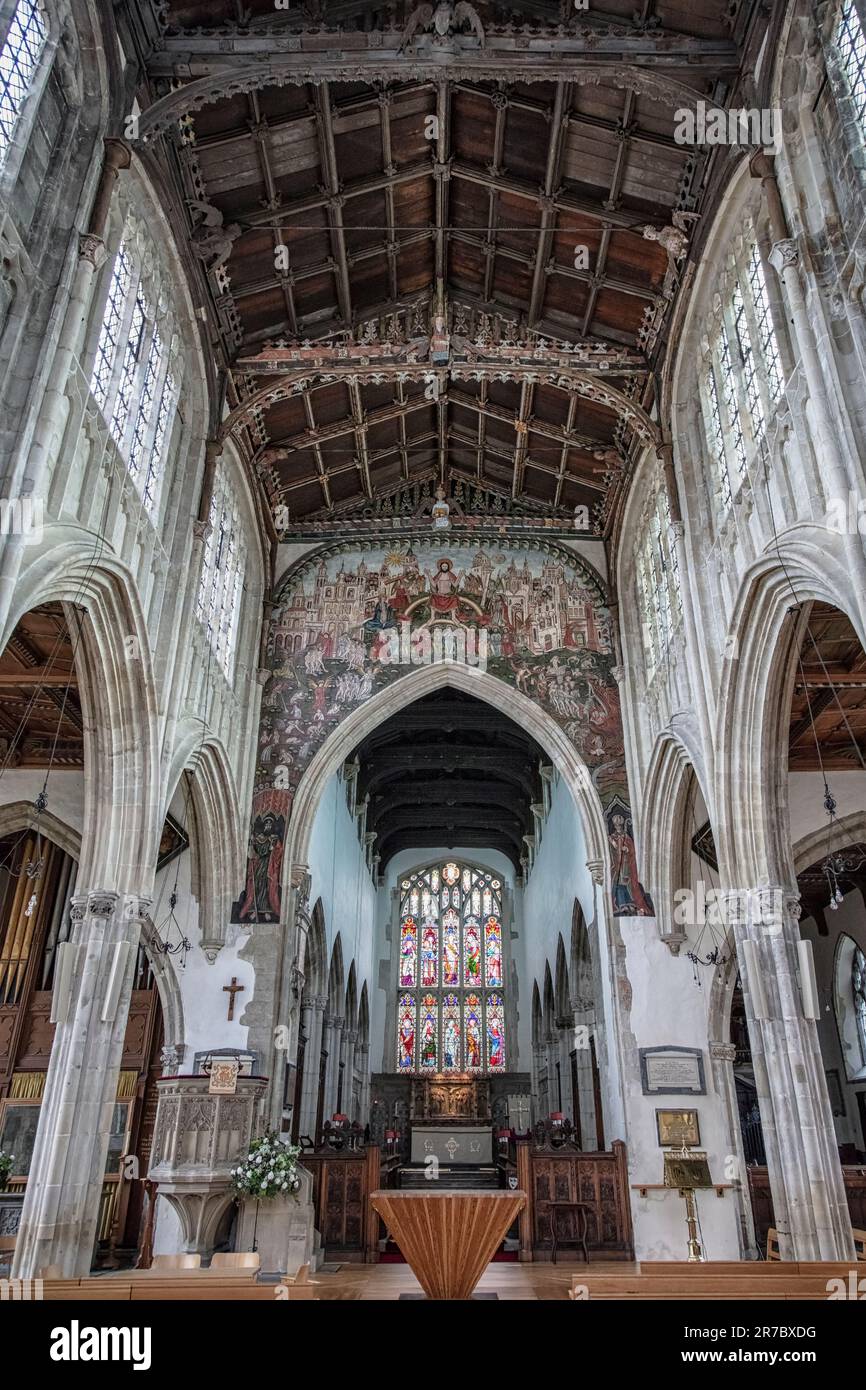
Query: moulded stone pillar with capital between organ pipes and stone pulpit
x=60, y=1214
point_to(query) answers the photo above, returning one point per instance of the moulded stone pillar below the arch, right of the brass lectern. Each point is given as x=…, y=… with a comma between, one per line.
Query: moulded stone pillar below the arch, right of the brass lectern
x=806, y=1174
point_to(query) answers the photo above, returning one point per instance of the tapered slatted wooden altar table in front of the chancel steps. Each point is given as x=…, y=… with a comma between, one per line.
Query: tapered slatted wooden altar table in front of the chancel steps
x=448, y=1238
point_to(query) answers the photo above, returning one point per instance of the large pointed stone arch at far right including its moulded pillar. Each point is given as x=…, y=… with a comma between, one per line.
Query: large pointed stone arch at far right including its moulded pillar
x=757, y=867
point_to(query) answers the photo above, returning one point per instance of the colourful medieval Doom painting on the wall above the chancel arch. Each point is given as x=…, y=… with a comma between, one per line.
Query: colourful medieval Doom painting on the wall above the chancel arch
x=352, y=619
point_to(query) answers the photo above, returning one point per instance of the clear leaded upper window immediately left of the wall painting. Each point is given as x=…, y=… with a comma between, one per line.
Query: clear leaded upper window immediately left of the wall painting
x=219, y=603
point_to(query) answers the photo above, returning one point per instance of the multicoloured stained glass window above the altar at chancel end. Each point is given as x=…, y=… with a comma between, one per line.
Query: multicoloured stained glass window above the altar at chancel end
x=452, y=954
